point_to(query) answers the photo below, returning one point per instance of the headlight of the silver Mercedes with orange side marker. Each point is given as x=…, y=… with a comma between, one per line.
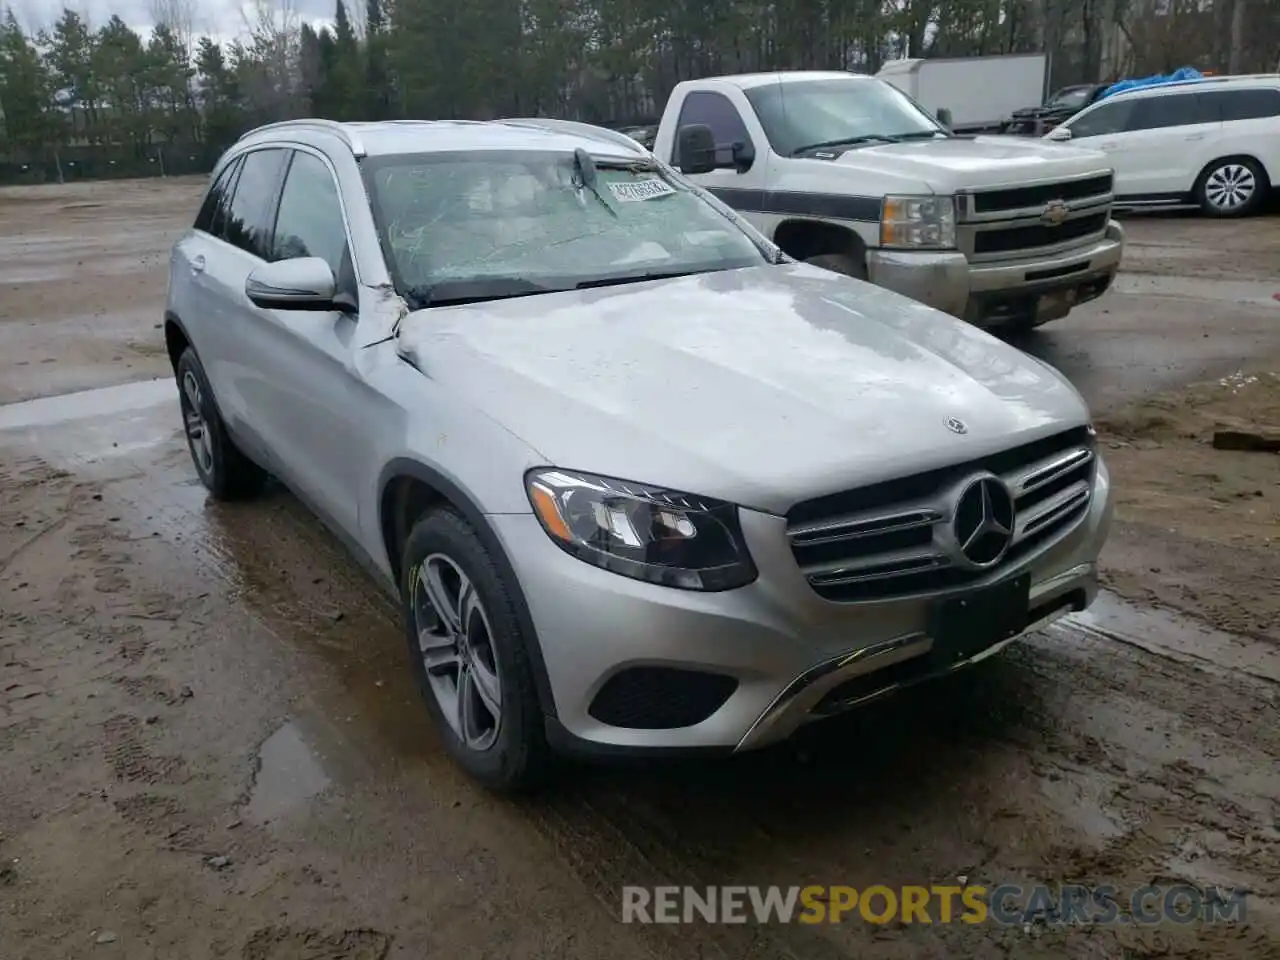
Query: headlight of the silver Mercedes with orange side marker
x=651, y=534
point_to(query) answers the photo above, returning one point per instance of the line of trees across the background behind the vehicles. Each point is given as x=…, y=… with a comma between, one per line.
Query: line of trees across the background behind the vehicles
x=84, y=100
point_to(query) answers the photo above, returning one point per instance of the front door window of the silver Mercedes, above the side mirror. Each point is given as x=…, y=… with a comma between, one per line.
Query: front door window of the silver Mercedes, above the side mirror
x=309, y=223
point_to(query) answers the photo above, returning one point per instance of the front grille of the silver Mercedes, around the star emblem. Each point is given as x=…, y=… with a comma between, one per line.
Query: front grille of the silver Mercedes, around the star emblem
x=894, y=540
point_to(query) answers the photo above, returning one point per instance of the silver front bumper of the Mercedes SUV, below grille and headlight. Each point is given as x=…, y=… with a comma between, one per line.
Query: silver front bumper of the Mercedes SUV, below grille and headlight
x=784, y=646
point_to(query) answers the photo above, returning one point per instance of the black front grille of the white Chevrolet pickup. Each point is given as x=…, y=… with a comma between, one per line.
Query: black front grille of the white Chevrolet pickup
x=1007, y=223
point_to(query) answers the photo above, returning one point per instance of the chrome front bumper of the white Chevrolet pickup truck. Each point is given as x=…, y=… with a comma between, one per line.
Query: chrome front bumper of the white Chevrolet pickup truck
x=998, y=294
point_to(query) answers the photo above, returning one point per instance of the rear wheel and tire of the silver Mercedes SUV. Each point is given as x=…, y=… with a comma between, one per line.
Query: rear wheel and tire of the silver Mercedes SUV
x=223, y=469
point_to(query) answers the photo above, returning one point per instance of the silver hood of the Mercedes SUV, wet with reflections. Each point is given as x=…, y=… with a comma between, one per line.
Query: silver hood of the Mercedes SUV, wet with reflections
x=762, y=387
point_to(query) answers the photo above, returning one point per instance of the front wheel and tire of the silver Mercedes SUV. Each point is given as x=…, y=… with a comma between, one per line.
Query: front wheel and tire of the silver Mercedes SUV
x=470, y=655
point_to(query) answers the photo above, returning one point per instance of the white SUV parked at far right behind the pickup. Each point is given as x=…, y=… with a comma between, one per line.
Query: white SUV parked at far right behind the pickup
x=1213, y=143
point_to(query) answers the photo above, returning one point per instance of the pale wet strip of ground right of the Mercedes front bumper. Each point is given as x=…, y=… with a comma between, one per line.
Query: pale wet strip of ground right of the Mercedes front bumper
x=1171, y=636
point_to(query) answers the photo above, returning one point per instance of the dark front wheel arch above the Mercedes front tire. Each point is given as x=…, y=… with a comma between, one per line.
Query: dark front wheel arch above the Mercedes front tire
x=409, y=490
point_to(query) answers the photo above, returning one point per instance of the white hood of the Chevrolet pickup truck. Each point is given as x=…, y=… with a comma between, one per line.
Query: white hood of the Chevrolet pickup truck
x=964, y=163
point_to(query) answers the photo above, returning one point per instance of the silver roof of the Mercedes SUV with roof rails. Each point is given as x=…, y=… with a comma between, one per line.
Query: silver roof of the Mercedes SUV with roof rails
x=399, y=138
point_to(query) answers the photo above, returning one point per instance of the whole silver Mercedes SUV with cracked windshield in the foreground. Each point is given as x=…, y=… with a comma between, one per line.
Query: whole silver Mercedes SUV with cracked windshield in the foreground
x=641, y=482
